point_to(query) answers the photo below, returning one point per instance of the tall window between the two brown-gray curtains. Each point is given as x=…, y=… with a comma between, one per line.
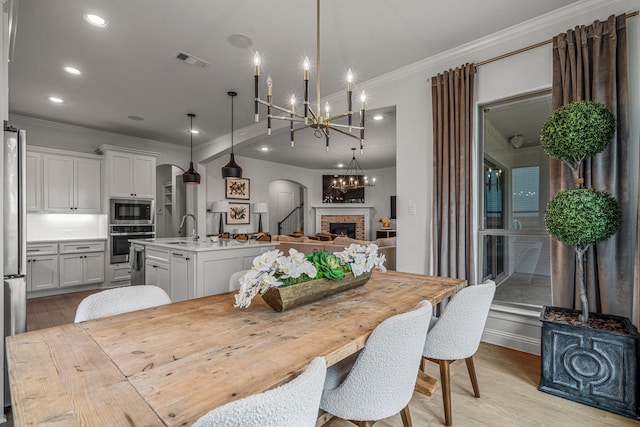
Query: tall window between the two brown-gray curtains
x=514, y=246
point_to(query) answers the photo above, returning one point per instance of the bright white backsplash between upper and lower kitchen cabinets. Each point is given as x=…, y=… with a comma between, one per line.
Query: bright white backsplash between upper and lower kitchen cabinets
x=65, y=227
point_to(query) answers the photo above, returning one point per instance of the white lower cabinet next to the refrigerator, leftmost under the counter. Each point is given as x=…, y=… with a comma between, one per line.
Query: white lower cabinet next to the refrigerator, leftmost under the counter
x=42, y=266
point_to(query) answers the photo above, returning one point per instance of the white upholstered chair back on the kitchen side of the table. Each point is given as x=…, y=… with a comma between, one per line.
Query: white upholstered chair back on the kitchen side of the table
x=120, y=300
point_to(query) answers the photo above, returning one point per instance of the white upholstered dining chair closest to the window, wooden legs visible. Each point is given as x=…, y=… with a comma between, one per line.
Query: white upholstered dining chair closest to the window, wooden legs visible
x=456, y=335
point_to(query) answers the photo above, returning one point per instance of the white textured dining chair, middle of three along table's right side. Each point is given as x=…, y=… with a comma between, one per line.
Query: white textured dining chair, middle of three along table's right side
x=380, y=382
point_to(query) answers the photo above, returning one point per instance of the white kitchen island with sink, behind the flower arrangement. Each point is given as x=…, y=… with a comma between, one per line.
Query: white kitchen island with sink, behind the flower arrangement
x=188, y=269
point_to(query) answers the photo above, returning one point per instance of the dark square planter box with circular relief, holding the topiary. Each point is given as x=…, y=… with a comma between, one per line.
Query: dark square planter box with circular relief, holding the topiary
x=595, y=367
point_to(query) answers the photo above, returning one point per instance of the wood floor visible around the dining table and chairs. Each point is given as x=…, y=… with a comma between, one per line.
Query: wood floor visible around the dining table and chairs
x=508, y=385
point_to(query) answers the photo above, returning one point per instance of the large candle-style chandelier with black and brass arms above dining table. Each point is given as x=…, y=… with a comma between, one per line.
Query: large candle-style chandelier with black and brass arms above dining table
x=311, y=118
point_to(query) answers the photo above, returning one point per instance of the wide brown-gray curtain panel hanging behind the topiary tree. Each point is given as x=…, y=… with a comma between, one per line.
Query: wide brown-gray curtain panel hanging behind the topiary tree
x=590, y=63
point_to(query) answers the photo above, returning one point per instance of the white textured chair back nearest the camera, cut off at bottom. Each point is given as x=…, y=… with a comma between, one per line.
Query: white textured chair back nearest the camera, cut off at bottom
x=294, y=404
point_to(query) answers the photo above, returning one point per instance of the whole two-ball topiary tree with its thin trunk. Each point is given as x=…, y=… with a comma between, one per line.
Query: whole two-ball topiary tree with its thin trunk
x=580, y=217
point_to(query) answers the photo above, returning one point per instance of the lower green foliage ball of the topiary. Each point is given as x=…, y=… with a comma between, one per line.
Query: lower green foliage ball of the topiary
x=582, y=216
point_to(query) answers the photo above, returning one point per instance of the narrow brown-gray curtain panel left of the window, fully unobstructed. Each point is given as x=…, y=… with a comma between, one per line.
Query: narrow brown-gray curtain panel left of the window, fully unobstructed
x=452, y=101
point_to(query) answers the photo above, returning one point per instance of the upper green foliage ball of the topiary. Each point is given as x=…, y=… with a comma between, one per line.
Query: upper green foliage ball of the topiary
x=578, y=129
